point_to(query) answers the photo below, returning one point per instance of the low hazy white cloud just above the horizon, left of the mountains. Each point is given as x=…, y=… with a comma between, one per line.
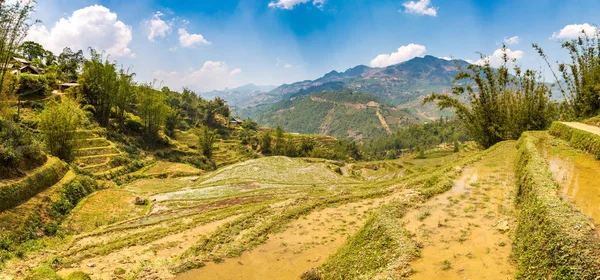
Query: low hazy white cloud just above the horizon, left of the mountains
x=213, y=75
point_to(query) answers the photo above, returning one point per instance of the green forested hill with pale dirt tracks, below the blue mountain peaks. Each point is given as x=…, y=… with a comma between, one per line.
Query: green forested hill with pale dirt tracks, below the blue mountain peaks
x=341, y=113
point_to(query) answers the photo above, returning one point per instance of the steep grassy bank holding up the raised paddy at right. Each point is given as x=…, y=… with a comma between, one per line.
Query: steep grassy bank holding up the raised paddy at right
x=553, y=239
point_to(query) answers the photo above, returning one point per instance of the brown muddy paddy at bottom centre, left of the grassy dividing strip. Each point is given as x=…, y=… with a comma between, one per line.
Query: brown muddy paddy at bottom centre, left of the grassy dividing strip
x=307, y=242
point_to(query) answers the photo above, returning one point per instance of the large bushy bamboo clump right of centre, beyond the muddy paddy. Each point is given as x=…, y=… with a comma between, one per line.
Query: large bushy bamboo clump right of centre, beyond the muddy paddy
x=500, y=105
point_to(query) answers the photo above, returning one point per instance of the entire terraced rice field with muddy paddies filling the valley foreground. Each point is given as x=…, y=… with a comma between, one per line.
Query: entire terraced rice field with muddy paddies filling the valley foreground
x=445, y=216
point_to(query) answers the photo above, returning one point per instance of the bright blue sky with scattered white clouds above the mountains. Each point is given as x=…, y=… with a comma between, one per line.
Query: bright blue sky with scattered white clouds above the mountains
x=213, y=44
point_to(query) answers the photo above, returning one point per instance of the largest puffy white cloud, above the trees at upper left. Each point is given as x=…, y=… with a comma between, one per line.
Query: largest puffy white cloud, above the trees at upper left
x=94, y=26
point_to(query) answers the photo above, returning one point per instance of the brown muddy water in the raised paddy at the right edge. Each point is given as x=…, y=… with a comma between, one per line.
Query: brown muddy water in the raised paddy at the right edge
x=577, y=174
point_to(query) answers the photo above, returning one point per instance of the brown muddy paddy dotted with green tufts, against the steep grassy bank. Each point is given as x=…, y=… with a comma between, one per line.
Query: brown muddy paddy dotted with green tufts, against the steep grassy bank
x=466, y=231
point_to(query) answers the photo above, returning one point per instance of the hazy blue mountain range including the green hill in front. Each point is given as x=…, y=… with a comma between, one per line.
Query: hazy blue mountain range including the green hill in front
x=360, y=103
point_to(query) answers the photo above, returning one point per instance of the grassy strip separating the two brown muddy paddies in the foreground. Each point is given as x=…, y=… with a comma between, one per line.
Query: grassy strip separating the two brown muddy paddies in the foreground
x=390, y=245
